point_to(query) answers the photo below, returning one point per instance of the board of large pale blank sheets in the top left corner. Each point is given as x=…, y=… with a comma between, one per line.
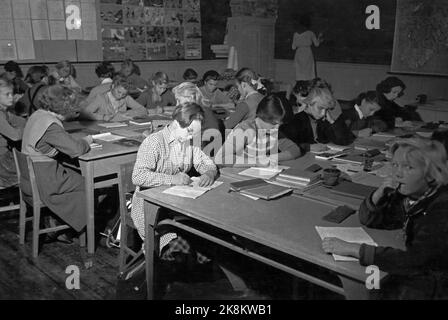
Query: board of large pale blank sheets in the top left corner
x=35, y=31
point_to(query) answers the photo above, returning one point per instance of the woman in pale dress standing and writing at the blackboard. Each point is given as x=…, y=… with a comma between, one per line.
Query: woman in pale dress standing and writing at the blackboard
x=304, y=38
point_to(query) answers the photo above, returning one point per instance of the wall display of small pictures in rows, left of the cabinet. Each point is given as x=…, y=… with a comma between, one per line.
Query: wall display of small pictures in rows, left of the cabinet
x=151, y=29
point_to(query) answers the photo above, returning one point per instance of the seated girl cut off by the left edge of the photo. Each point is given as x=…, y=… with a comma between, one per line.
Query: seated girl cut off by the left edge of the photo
x=11, y=128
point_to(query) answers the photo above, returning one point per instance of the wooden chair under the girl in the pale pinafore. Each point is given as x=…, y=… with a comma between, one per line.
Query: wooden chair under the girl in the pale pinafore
x=27, y=181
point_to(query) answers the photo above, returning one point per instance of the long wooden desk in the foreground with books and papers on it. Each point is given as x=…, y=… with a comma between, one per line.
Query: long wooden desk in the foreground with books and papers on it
x=286, y=224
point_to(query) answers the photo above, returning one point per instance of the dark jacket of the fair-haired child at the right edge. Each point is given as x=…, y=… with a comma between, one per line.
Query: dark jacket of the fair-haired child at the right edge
x=420, y=272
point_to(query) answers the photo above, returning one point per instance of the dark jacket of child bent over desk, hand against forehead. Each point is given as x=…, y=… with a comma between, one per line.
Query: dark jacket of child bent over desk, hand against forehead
x=300, y=131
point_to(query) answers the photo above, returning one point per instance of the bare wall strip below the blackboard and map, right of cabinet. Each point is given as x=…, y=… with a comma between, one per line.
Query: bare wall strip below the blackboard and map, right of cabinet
x=348, y=80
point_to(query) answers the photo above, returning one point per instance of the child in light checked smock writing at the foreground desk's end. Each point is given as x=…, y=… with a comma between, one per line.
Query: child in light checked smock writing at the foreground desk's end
x=165, y=158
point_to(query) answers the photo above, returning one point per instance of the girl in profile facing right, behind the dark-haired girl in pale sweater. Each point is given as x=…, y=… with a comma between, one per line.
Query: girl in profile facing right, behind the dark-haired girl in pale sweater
x=248, y=84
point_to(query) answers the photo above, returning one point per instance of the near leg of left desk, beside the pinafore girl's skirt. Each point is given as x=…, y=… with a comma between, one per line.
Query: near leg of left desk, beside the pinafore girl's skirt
x=87, y=170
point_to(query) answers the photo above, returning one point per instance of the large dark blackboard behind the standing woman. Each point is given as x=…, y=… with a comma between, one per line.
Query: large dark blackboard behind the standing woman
x=342, y=22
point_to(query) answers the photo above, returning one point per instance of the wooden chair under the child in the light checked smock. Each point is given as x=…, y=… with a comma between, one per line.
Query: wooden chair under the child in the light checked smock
x=127, y=257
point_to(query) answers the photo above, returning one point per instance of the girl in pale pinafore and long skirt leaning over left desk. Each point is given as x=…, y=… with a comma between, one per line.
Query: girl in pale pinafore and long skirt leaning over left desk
x=44, y=139
